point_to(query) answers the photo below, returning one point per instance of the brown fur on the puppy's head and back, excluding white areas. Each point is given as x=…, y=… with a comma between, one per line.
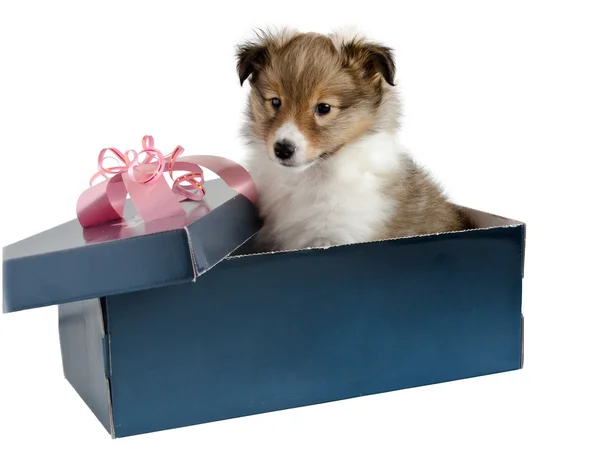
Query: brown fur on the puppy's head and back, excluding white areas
x=356, y=78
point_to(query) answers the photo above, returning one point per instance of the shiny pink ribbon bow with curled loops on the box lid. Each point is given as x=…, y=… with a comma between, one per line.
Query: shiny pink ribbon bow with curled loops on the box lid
x=141, y=175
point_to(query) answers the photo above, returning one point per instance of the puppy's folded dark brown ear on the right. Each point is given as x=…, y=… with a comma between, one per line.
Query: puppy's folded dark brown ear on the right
x=374, y=59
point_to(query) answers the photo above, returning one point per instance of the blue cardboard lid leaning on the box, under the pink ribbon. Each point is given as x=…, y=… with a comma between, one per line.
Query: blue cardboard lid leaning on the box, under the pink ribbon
x=69, y=263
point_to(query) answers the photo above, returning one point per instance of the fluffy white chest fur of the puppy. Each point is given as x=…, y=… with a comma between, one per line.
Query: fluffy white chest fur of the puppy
x=340, y=200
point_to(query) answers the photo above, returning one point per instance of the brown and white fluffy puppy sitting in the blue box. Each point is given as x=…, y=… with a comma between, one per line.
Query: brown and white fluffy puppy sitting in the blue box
x=321, y=124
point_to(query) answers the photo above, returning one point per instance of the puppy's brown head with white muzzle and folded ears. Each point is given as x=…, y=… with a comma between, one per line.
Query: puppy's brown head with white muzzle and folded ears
x=310, y=96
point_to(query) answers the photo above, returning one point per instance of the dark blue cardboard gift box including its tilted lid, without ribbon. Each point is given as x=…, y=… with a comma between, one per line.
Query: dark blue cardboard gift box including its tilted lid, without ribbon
x=151, y=339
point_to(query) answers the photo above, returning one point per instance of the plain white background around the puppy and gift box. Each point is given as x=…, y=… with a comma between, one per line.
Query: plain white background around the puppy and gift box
x=501, y=102
